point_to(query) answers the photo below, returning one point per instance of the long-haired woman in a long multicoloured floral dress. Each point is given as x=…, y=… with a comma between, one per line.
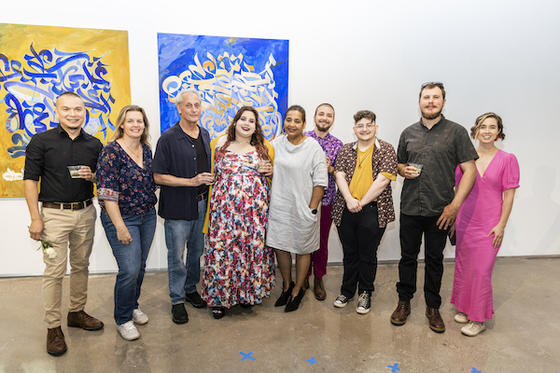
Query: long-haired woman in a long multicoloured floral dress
x=239, y=268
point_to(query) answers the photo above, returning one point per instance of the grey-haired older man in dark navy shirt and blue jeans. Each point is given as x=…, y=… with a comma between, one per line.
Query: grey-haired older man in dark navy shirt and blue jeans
x=181, y=166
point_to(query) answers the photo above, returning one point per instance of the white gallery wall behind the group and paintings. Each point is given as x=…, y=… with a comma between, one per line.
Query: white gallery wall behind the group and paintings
x=501, y=56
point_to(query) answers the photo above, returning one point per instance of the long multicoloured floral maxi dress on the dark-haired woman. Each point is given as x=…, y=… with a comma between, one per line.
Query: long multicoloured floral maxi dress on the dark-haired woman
x=239, y=268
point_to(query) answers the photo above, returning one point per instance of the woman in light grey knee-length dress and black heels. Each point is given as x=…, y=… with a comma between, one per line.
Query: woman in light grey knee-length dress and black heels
x=300, y=176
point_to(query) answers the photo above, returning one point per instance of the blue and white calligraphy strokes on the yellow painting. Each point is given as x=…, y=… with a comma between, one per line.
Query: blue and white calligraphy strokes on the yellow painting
x=30, y=86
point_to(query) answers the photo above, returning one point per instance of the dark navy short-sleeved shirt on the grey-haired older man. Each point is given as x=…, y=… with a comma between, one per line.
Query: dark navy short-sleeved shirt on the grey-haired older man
x=176, y=155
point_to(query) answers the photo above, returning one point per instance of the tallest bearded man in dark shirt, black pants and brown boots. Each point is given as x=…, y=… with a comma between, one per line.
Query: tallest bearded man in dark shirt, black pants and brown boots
x=428, y=154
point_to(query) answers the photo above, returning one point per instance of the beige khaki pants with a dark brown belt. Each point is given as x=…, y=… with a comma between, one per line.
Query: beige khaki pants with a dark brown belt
x=69, y=231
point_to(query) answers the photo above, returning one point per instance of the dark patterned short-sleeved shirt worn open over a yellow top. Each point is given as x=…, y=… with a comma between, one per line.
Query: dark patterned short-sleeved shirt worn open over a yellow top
x=384, y=160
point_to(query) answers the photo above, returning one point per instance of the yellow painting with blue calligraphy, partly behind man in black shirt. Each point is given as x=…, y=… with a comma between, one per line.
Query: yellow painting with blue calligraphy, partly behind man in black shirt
x=38, y=63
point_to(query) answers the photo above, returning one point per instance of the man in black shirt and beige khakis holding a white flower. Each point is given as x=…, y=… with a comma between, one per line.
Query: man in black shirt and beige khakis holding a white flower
x=67, y=216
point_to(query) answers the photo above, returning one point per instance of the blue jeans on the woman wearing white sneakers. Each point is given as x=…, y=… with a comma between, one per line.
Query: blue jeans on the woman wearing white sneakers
x=131, y=259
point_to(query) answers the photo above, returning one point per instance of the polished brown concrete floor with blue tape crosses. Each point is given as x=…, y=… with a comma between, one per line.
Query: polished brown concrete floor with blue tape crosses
x=523, y=337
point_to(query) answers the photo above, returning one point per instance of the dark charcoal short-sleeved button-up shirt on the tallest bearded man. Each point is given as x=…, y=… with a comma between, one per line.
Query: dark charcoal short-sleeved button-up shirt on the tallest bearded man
x=439, y=150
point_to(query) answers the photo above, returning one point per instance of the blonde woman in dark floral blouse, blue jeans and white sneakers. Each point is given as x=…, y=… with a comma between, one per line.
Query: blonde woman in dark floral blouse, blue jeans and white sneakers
x=126, y=192
